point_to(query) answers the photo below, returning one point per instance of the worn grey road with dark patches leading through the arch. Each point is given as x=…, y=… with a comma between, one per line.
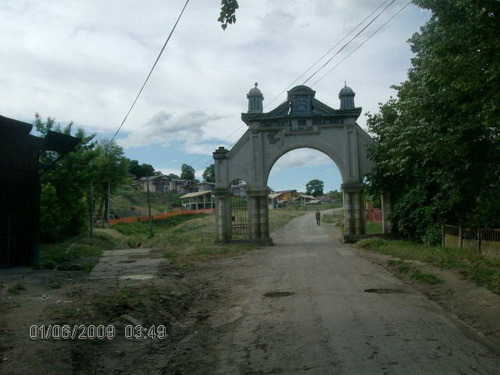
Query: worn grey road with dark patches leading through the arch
x=311, y=305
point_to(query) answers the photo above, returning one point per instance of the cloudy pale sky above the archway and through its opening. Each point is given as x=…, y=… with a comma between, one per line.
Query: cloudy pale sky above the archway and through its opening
x=85, y=60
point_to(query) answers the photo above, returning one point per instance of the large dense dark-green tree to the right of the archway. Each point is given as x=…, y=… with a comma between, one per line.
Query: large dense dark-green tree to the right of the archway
x=438, y=143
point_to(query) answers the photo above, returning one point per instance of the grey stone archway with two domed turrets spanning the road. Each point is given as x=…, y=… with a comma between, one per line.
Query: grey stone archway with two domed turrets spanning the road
x=301, y=121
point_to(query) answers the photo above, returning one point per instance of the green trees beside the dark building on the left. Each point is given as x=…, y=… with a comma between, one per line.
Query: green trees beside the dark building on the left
x=64, y=211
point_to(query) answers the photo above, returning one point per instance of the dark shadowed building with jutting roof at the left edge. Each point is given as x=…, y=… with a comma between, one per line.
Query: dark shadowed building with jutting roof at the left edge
x=20, y=188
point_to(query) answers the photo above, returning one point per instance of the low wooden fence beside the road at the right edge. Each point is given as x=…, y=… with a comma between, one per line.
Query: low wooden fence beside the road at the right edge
x=483, y=240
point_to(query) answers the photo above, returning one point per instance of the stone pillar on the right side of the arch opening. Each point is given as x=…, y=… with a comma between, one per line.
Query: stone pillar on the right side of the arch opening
x=354, y=210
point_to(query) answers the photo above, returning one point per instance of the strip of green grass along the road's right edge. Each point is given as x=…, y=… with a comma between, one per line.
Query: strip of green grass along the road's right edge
x=469, y=263
